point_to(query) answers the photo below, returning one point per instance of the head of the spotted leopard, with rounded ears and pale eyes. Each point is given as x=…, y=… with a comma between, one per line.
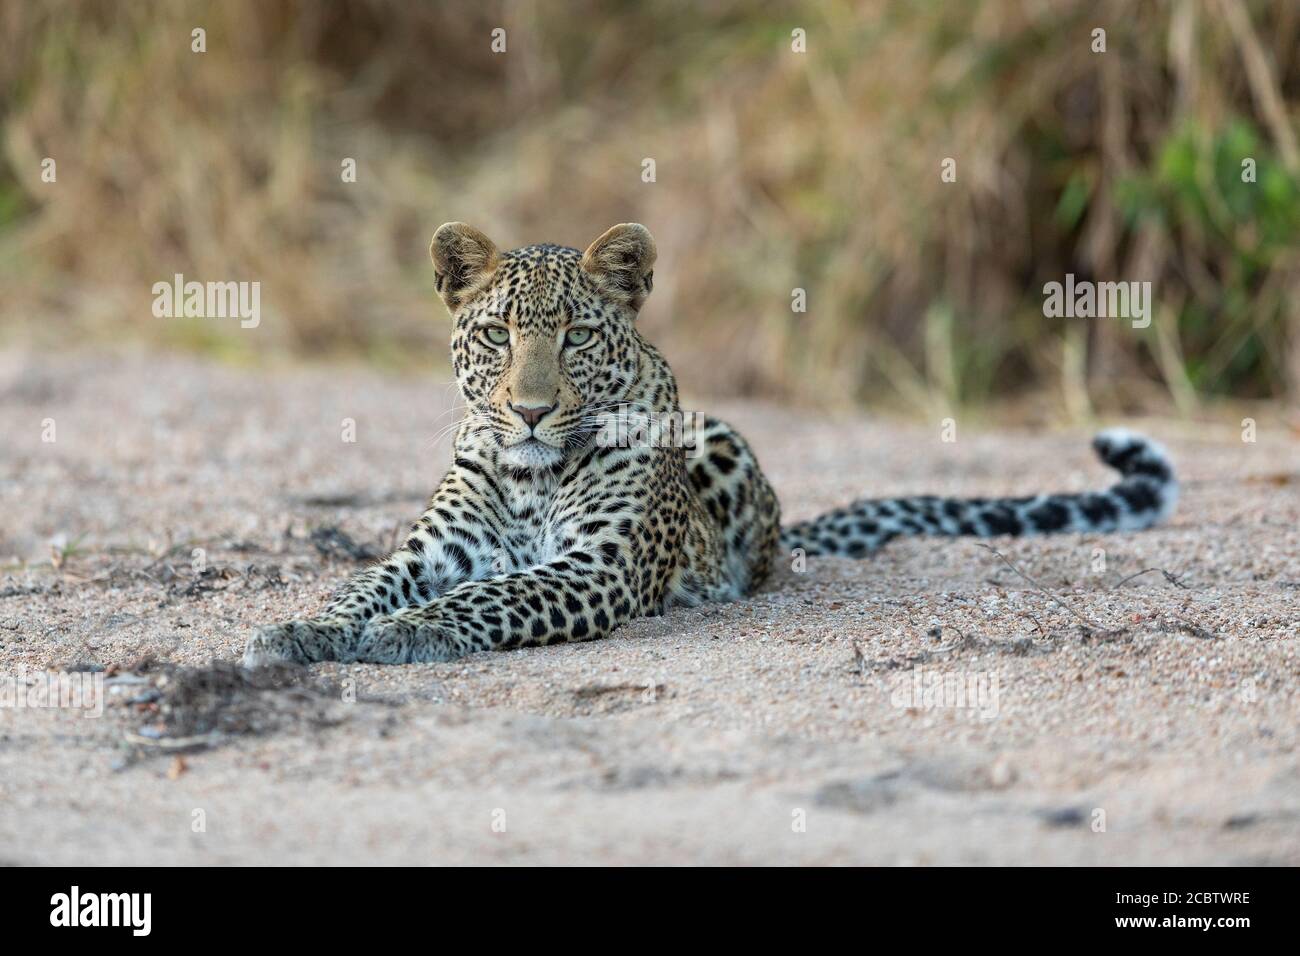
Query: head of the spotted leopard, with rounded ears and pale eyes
x=544, y=340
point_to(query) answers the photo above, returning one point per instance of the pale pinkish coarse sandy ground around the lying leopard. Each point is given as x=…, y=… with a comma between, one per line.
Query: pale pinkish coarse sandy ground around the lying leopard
x=811, y=725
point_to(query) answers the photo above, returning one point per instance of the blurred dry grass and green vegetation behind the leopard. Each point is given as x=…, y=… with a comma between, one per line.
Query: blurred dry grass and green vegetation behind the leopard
x=775, y=171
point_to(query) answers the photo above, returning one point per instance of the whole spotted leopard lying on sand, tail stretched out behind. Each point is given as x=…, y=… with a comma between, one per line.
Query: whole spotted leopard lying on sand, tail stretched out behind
x=566, y=513
